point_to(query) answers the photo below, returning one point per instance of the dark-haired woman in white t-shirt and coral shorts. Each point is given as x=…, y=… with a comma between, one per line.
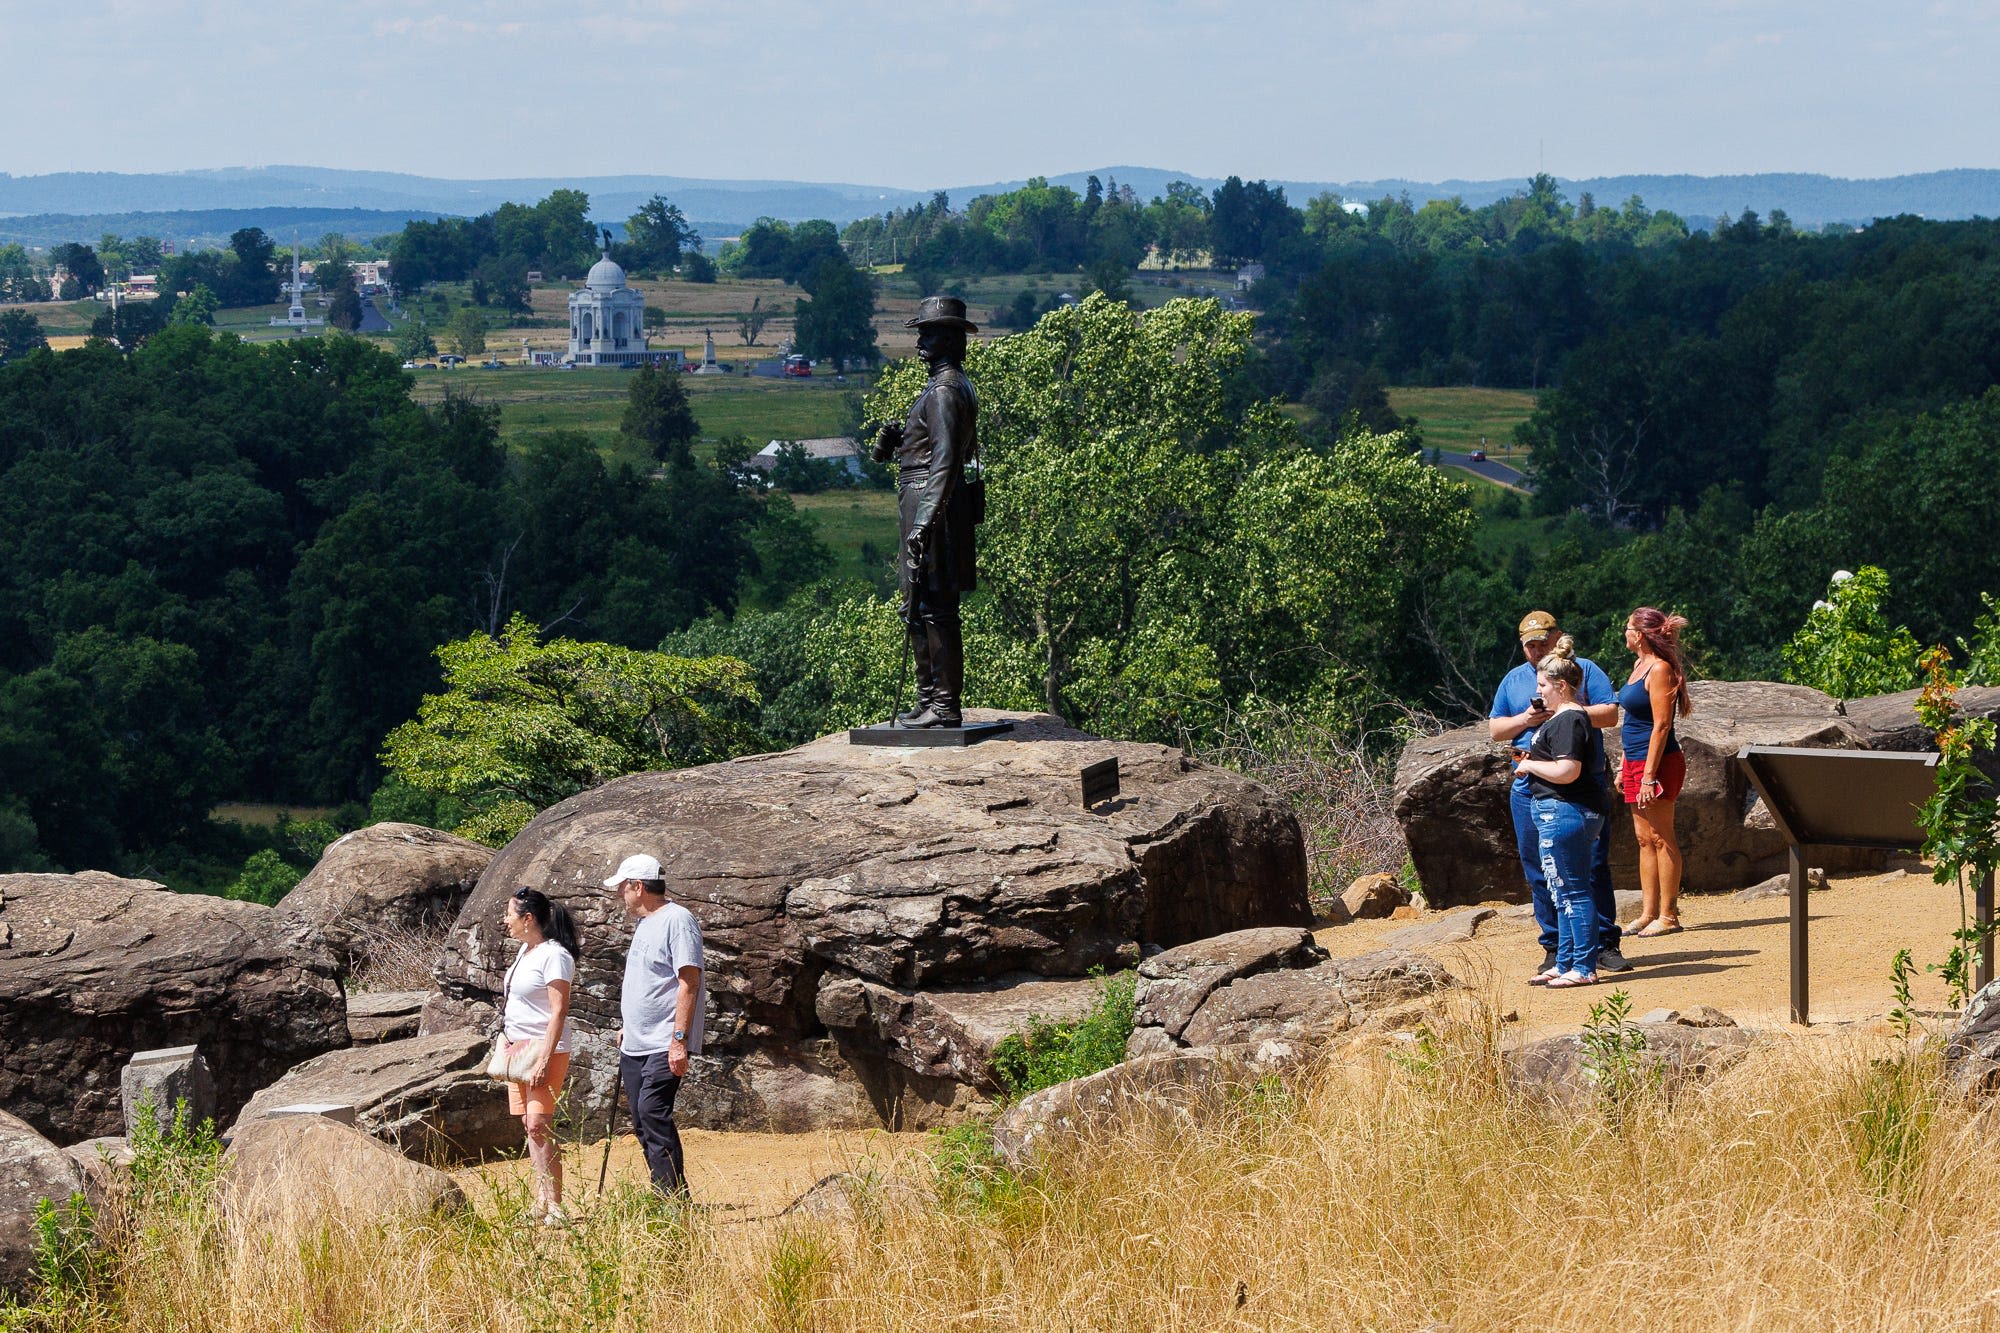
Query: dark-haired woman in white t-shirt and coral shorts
x=537, y=1014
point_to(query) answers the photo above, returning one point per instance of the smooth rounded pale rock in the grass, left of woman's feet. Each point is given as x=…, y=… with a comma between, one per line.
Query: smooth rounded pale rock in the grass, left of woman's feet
x=309, y=1170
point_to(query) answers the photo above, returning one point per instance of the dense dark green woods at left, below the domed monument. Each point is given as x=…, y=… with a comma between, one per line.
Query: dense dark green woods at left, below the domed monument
x=225, y=569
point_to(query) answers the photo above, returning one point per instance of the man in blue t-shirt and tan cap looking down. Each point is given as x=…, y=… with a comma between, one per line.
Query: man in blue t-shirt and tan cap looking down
x=1515, y=718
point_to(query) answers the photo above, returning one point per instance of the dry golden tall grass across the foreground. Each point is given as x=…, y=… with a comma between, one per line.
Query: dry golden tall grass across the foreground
x=1409, y=1188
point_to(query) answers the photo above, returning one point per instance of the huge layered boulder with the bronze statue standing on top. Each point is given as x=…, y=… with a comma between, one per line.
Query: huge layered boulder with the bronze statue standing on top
x=913, y=870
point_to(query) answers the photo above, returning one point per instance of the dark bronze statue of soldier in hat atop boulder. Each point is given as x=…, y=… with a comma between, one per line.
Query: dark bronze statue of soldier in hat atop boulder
x=937, y=511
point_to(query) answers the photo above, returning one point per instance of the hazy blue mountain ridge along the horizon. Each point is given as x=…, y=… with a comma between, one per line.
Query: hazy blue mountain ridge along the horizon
x=81, y=205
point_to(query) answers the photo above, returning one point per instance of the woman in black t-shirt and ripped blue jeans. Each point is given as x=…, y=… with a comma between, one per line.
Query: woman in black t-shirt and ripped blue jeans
x=1569, y=812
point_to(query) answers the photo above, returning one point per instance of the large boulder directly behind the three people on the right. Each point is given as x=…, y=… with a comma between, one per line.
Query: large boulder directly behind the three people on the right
x=1451, y=798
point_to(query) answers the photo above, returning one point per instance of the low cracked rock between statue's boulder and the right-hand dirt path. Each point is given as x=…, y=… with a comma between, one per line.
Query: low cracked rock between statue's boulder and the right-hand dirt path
x=1271, y=986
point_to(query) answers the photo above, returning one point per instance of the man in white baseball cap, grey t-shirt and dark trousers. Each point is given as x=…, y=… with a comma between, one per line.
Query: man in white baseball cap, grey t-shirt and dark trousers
x=663, y=1004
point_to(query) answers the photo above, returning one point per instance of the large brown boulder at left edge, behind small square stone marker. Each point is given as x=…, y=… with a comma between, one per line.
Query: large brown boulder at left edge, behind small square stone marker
x=95, y=968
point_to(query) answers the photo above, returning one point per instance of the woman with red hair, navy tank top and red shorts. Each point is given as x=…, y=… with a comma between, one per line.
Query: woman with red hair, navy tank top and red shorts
x=1655, y=768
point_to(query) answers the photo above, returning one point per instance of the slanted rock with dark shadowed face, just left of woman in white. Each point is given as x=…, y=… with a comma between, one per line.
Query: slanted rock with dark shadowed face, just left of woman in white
x=425, y=1096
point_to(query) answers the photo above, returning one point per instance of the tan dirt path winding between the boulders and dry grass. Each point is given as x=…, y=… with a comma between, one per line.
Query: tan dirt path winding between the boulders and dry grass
x=1731, y=956
